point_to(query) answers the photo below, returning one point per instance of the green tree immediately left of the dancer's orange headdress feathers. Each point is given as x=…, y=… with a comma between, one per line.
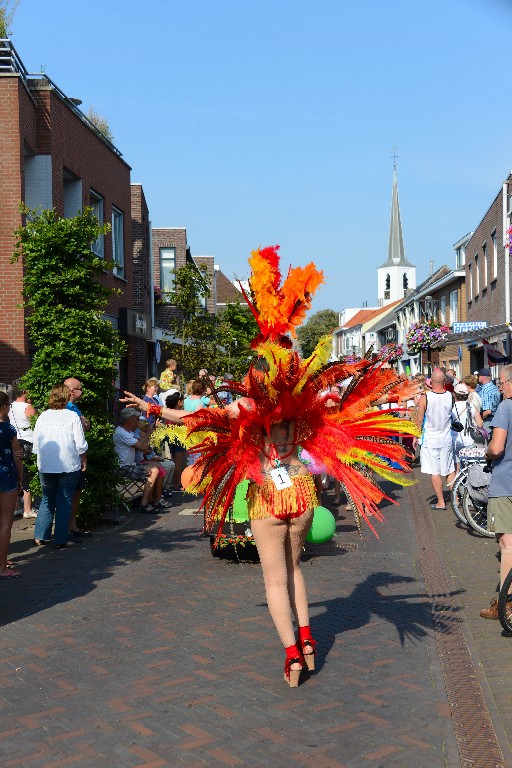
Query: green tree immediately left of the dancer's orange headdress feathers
x=237, y=328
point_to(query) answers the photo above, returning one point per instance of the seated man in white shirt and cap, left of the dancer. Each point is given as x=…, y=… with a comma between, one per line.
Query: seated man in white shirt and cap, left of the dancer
x=126, y=443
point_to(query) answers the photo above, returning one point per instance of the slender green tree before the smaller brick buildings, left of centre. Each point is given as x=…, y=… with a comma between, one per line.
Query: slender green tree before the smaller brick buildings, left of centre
x=195, y=328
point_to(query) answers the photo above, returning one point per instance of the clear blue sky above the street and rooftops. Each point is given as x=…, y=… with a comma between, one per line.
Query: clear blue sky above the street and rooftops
x=275, y=122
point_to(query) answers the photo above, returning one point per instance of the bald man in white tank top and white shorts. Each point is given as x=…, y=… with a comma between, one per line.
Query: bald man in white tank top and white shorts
x=434, y=415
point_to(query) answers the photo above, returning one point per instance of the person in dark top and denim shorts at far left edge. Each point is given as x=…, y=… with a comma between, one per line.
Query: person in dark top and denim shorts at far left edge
x=11, y=471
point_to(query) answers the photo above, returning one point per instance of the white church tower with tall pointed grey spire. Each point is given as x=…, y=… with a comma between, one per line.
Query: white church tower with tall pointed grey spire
x=396, y=276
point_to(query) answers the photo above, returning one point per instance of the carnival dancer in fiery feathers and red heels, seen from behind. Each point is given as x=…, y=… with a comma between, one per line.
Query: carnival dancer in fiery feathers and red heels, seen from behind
x=281, y=407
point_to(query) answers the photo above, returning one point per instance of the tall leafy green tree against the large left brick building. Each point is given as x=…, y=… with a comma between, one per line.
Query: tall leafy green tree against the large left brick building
x=65, y=302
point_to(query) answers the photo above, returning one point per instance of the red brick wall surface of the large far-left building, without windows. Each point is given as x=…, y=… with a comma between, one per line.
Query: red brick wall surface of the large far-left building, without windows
x=41, y=122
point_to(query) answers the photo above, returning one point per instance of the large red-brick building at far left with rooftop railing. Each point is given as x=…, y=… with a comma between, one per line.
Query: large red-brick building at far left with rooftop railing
x=51, y=156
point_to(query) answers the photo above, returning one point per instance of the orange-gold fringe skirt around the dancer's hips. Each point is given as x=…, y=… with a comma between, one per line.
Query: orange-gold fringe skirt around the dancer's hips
x=266, y=500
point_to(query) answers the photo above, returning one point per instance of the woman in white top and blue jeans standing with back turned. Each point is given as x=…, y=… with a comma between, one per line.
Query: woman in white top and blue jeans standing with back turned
x=60, y=445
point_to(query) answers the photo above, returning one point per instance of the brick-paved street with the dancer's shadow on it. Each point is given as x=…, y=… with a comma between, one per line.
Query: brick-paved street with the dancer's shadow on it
x=139, y=649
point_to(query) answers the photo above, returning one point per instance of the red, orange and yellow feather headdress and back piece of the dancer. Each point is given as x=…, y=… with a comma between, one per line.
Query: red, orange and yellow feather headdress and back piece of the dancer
x=345, y=432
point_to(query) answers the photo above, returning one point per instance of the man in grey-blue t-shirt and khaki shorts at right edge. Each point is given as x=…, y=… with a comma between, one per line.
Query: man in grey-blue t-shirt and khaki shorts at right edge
x=499, y=508
